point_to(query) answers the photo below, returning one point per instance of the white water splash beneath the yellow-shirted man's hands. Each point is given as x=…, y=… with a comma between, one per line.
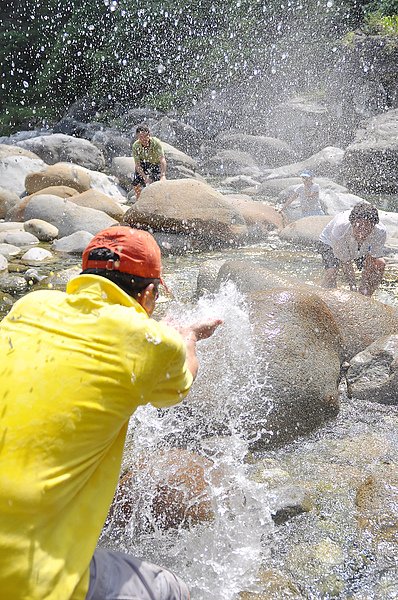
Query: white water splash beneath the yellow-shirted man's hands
x=221, y=556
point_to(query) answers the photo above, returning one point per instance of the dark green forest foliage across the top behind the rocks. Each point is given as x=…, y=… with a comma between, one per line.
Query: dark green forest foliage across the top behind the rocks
x=160, y=52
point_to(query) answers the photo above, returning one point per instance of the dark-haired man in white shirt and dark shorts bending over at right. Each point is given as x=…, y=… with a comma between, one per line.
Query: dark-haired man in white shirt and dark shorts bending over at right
x=354, y=238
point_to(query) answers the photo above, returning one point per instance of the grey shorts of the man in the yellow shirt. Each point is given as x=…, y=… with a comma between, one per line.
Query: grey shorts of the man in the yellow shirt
x=117, y=576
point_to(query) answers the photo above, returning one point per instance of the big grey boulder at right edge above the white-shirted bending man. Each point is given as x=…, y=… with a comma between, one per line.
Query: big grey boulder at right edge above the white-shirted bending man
x=370, y=163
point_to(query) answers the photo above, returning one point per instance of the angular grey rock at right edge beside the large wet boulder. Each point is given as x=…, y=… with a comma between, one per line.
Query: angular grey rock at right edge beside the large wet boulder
x=373, y=373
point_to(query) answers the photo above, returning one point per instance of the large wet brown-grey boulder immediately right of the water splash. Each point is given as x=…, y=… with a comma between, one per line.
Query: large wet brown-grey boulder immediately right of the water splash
x=298, y=348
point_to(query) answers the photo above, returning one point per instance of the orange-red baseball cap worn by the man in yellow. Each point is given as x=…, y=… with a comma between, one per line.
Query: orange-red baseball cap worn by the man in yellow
x=138, y=251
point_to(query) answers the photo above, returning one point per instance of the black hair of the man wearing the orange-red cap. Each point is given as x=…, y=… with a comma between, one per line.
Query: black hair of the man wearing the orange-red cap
x=133, y=285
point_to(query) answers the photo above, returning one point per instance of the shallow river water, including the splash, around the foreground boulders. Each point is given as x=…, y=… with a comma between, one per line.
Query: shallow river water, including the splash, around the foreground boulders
x=343, y=541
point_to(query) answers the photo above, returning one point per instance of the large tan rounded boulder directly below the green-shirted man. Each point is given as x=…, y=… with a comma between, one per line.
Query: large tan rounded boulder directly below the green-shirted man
x=188, y=207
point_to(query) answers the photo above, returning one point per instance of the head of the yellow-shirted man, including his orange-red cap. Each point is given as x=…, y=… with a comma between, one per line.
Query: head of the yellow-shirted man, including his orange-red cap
x=128, y=257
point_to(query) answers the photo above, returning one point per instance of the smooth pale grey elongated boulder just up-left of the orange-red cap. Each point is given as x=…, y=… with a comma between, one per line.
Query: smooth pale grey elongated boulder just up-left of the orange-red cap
x=67, y=216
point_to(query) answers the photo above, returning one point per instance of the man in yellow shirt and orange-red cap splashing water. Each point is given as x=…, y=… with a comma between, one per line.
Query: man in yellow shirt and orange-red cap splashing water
x=74, y=368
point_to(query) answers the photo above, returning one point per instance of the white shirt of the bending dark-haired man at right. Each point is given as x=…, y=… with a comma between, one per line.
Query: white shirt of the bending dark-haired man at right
x=339, y=235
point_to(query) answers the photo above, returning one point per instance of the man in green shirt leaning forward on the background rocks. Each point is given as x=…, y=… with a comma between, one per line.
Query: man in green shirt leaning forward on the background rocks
x=150, y=162
